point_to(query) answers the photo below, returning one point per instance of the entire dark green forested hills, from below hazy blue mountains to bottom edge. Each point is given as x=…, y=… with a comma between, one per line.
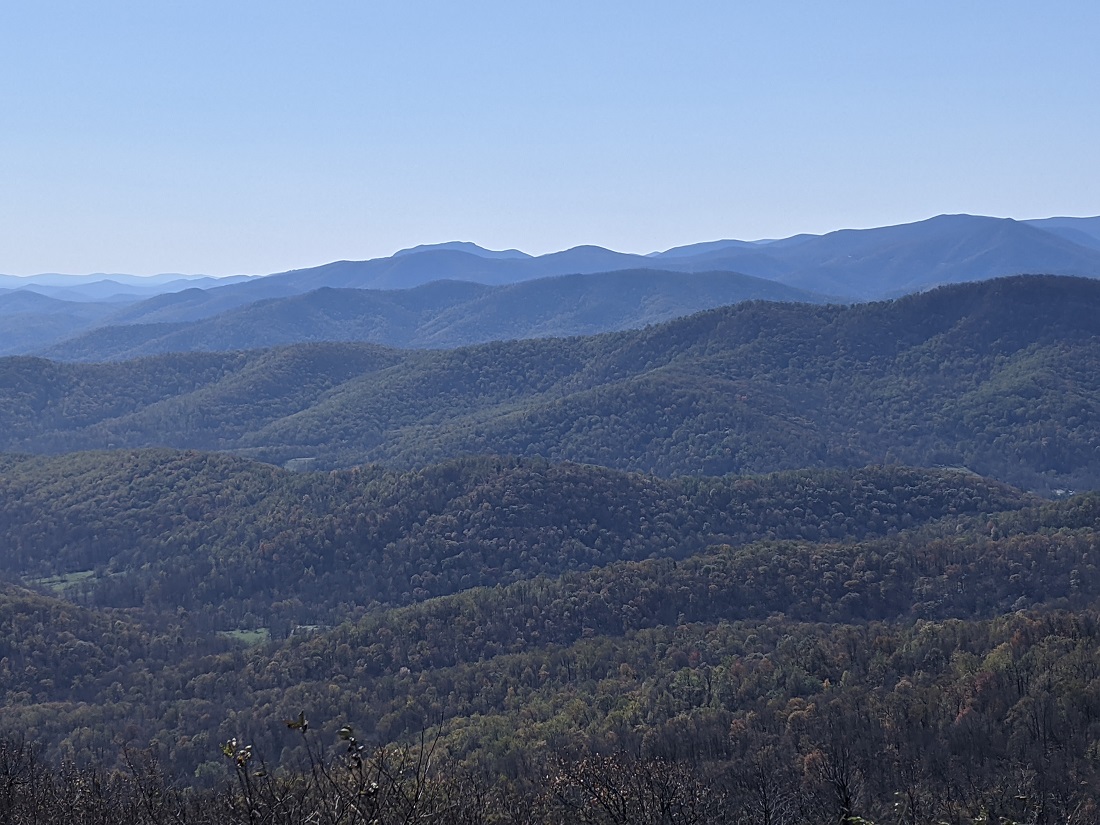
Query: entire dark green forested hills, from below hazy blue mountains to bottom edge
x=558, y=595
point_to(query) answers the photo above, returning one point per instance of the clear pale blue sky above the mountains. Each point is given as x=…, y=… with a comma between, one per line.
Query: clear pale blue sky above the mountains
x=254, y=137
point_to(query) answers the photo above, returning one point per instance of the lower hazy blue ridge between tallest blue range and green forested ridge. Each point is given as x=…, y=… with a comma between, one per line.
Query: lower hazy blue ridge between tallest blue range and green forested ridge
x=444, y=314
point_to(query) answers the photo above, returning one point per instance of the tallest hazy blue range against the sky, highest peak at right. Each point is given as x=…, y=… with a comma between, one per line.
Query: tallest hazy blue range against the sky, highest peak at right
x=866, y=265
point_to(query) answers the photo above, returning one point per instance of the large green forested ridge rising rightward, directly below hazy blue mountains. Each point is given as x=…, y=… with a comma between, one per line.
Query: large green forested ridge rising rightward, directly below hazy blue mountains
x=996, y=377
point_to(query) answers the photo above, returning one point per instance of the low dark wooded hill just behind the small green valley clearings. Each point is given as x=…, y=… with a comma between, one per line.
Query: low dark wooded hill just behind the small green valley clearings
x=248, y=545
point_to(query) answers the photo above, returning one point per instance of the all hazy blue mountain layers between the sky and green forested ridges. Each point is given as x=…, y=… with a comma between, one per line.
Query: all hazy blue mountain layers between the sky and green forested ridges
x=455, y=294
